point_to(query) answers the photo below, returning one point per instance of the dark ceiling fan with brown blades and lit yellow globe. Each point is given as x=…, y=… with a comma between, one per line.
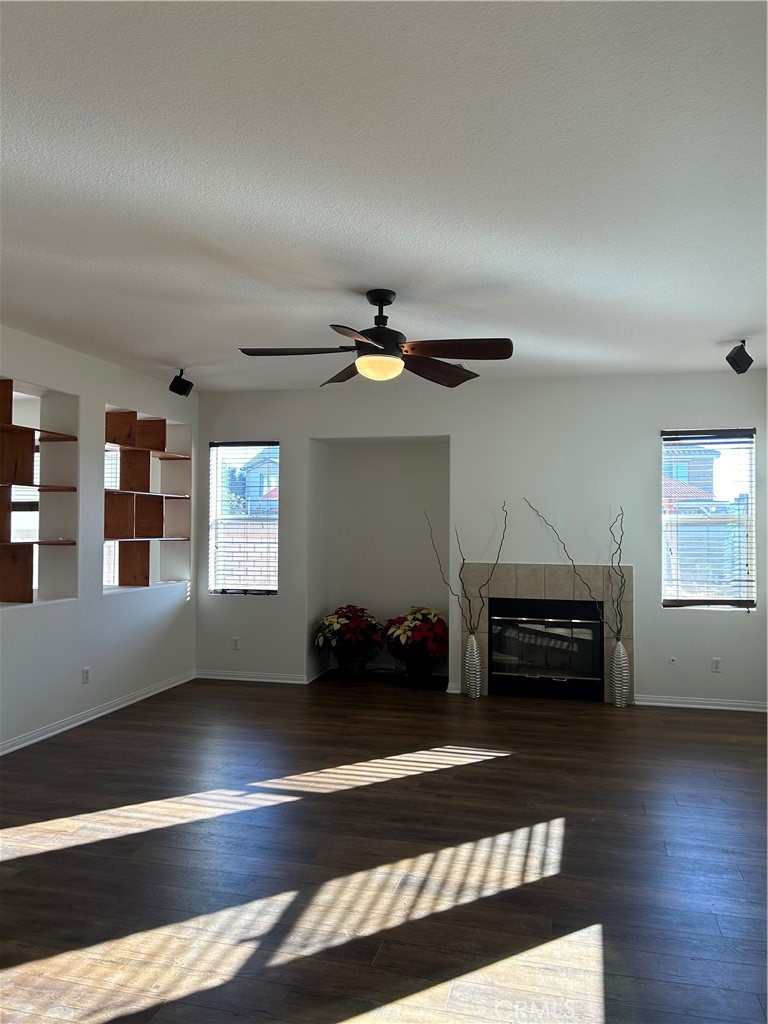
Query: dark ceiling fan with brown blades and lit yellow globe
x=383, y=354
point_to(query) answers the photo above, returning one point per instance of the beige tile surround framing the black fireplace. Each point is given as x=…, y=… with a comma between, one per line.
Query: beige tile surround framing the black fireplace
x=554, y=583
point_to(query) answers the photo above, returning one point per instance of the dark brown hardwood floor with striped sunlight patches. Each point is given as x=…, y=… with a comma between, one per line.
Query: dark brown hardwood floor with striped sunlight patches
x=353, y=852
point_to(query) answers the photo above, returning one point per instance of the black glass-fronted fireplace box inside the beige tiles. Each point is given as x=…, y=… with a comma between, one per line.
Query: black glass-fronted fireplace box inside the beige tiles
x=546, y=649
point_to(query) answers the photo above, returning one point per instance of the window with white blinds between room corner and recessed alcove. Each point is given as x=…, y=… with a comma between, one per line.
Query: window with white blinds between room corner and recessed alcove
x=243, y=518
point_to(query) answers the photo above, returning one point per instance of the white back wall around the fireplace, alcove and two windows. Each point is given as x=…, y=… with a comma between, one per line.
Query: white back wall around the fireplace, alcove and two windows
x=578, y=449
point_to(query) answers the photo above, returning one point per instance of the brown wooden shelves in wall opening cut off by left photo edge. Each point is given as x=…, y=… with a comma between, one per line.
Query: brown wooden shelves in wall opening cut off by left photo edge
x=19, y=446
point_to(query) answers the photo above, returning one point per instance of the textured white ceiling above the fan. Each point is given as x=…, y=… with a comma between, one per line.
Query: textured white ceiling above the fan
x=182, y=180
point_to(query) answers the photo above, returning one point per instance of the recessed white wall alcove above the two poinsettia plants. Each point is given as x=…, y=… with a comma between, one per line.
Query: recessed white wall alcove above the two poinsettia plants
x=369, y=540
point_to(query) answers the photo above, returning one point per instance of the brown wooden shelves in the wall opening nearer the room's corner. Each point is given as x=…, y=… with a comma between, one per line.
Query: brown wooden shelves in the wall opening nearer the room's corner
x=144, y=509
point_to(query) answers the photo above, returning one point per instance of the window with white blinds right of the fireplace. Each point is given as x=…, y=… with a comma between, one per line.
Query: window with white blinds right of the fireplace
x=708, y=519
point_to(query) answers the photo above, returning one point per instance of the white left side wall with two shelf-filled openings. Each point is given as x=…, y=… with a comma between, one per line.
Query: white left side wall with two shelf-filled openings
x=134, y=643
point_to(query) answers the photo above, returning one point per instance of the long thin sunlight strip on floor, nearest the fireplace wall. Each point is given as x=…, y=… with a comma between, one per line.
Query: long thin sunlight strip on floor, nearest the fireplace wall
x=114, y=823
